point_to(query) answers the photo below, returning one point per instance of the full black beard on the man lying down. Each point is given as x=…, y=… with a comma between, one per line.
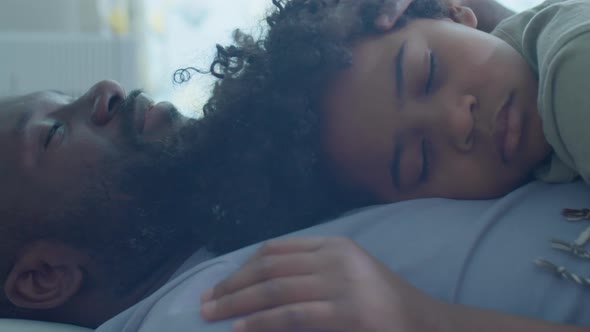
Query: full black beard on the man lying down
x=137, y=212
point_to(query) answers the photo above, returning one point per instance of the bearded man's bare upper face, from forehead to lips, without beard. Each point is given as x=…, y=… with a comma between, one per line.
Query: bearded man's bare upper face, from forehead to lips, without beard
x=52, y=144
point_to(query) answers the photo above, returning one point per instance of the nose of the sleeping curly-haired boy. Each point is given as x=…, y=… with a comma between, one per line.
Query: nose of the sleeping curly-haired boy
x=460, y=123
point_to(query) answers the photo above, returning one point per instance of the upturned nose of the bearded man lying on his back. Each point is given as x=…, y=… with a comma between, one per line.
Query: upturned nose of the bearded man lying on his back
x=104, y=96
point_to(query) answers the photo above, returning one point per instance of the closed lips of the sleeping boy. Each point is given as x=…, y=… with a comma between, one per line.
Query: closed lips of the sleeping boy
x=508, y=130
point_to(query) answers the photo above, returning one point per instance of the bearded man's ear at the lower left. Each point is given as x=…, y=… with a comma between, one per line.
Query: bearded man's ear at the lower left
x=45, y=275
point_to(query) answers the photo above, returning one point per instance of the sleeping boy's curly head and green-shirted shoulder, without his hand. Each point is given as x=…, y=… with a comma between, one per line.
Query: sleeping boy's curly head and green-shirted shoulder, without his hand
x=434, y=109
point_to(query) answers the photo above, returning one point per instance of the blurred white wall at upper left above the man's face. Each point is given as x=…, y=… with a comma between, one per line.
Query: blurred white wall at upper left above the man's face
x=61, y=44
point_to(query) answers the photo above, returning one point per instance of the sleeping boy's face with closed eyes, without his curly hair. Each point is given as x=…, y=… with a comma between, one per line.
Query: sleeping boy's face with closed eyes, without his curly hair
x=436, y=109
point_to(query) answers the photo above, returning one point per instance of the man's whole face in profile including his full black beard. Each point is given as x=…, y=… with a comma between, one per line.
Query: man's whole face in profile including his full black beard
x=105, y=172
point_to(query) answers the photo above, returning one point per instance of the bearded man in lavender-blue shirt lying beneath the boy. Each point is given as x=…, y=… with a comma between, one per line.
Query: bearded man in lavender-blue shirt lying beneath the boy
x=90, y=227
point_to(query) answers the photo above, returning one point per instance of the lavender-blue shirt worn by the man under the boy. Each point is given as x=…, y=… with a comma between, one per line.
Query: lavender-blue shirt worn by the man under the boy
x=477, y=253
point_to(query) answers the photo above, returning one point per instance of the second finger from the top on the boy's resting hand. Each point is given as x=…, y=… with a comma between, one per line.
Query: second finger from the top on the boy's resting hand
x=263, y=269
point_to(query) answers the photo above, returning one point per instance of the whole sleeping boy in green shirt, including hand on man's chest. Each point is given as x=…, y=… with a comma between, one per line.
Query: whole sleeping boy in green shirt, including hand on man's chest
x=434, y=108
